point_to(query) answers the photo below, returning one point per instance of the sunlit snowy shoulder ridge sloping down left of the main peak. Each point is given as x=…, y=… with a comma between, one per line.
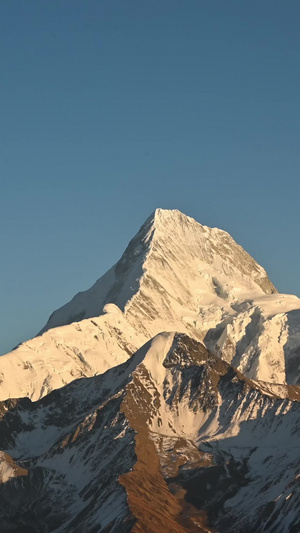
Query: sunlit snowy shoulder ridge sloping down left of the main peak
x=60, y=355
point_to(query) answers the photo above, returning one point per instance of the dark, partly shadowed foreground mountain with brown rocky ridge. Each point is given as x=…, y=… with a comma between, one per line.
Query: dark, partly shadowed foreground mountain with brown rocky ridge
x=173, y=439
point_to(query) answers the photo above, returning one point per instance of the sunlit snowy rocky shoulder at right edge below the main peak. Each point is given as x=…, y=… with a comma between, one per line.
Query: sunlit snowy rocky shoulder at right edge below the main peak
x=262, y=338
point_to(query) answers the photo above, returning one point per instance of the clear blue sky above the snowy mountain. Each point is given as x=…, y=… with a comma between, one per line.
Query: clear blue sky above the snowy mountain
x=112, y=108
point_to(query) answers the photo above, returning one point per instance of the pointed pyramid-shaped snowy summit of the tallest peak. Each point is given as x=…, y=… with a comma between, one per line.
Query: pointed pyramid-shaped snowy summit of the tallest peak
x=172, y=266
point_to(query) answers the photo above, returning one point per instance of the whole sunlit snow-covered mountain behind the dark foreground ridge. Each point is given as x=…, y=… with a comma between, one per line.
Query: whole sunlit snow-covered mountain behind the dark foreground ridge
x=175, y=275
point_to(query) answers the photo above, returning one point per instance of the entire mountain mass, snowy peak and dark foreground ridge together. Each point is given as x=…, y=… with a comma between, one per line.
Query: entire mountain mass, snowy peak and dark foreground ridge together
x=163, y=398
